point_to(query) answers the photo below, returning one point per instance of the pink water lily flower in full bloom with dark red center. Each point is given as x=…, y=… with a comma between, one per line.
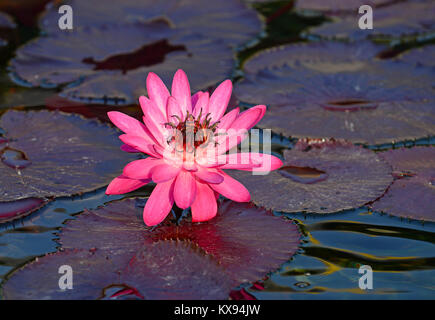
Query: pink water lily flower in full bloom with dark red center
x=187, y=139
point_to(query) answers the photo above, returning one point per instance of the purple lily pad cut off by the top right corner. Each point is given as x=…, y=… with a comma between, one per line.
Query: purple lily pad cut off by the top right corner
x=406, y=18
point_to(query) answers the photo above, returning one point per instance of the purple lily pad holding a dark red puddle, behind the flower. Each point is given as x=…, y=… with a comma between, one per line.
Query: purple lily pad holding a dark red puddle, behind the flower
x=114, y=72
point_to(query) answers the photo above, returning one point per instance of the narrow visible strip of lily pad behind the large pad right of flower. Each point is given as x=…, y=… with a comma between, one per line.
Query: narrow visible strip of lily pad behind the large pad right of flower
x=323, y=56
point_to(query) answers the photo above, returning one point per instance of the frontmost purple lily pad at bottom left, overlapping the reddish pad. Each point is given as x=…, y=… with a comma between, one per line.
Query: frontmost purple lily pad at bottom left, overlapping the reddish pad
x=163, y=270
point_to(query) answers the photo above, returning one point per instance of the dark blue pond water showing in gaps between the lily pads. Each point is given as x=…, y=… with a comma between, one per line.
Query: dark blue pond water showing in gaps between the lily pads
x=401, y=252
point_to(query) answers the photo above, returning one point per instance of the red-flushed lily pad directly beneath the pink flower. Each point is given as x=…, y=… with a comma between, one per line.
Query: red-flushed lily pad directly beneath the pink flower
x=246, y=241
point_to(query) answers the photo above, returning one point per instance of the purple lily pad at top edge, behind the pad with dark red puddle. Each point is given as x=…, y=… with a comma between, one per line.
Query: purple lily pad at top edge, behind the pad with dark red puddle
x=229, y=20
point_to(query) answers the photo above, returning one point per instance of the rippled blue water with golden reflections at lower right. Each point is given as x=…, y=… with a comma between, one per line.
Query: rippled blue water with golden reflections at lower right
x=400, y=252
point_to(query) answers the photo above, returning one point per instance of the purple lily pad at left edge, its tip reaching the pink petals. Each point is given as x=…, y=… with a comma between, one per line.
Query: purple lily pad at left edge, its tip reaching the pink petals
x=51, y=154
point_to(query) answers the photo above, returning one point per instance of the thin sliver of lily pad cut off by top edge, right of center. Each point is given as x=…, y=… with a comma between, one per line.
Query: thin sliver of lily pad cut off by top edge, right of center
x=337, y=6
